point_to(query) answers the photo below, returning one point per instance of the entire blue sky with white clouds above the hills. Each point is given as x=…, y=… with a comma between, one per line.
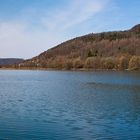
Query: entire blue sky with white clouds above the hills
x=30, y=27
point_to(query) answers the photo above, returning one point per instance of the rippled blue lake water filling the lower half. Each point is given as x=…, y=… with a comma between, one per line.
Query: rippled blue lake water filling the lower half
x=55, y=105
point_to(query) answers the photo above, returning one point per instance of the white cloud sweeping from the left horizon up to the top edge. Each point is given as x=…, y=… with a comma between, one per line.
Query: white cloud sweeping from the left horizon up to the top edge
x=22, y=39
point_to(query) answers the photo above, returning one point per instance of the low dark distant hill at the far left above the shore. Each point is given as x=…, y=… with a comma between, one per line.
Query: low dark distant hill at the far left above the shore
x=9, y=61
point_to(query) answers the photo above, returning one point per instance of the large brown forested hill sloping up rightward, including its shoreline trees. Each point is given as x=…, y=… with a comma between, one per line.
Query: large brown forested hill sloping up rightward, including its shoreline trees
x=118, y=50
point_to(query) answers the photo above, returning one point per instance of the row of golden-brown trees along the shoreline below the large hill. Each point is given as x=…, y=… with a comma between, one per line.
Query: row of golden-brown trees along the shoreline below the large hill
x=126, y=62
